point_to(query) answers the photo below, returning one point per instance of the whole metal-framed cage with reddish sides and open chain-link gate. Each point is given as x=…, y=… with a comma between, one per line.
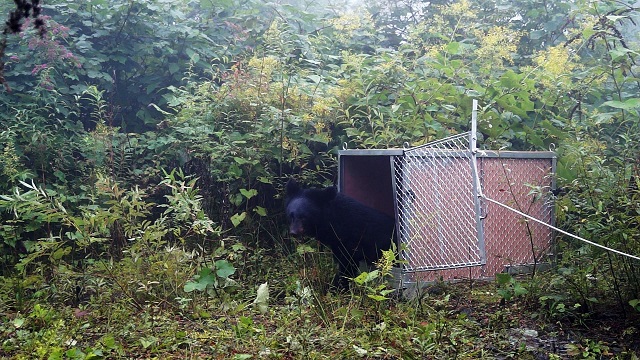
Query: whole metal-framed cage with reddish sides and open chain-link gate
x=444, y=229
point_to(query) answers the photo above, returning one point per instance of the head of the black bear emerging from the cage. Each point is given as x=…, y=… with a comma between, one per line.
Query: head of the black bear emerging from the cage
x=306, y=207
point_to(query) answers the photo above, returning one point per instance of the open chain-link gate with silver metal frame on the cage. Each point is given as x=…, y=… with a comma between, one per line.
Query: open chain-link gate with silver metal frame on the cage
x=439, y=222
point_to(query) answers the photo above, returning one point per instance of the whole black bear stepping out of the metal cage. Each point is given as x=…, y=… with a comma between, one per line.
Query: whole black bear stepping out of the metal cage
x=353, y=231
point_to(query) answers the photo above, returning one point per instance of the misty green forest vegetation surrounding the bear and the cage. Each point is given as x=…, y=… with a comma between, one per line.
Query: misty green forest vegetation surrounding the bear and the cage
x=145, y=147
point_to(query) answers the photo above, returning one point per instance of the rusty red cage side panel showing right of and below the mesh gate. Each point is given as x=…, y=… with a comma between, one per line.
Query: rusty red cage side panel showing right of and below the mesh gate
x=510, y=240
